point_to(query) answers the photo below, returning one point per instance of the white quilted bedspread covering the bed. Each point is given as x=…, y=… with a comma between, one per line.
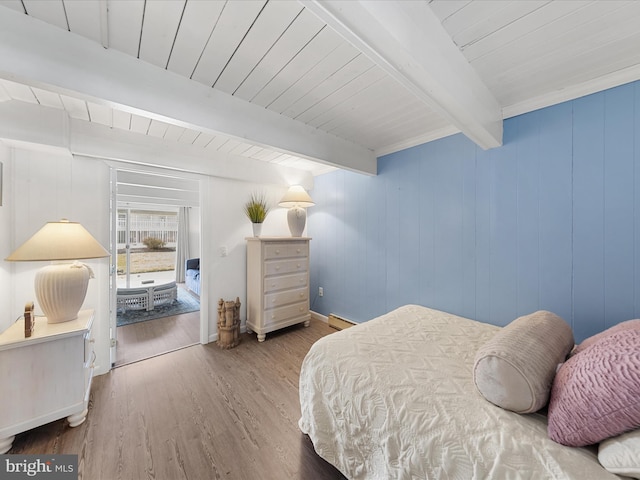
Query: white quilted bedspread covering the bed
x=393, y=398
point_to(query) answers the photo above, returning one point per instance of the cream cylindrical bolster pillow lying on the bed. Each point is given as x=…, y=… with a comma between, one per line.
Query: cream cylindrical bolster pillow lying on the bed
x=515, y=369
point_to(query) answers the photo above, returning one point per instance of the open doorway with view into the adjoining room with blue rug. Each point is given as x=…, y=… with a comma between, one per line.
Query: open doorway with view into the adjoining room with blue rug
x=155, y=228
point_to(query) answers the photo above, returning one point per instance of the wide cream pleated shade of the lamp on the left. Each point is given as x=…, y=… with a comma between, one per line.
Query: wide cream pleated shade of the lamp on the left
x=63, y=240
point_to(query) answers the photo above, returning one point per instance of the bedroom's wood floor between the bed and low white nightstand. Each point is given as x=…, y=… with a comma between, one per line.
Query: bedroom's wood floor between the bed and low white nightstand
x=196, y=413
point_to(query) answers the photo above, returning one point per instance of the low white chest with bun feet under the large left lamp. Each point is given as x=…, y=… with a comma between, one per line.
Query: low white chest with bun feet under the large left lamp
x=45, y=377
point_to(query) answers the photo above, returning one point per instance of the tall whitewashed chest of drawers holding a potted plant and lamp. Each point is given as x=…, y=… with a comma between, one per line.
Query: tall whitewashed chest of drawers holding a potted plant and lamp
x=277, y=283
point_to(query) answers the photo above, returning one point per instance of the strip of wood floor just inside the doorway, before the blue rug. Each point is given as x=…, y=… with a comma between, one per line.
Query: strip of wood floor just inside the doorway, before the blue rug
x=154, y=337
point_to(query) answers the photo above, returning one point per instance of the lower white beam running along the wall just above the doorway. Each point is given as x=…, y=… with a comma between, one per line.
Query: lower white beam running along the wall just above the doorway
x=28, y=124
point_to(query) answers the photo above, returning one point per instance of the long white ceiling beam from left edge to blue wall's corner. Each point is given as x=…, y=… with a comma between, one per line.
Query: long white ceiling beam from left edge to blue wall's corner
x=44, y=56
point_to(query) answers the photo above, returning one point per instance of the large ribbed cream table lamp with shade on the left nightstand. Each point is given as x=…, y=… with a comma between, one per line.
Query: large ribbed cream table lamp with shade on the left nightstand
x=61, y=286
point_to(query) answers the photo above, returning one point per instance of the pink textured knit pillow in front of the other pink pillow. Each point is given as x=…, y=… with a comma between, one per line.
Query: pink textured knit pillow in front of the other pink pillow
x=595, y=394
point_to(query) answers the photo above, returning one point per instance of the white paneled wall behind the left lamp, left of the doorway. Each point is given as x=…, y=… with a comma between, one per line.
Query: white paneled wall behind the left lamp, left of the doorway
x=49, y=184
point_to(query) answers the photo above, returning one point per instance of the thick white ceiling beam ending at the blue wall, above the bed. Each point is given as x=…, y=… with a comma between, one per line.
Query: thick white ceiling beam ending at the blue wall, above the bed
x=407, y=40
